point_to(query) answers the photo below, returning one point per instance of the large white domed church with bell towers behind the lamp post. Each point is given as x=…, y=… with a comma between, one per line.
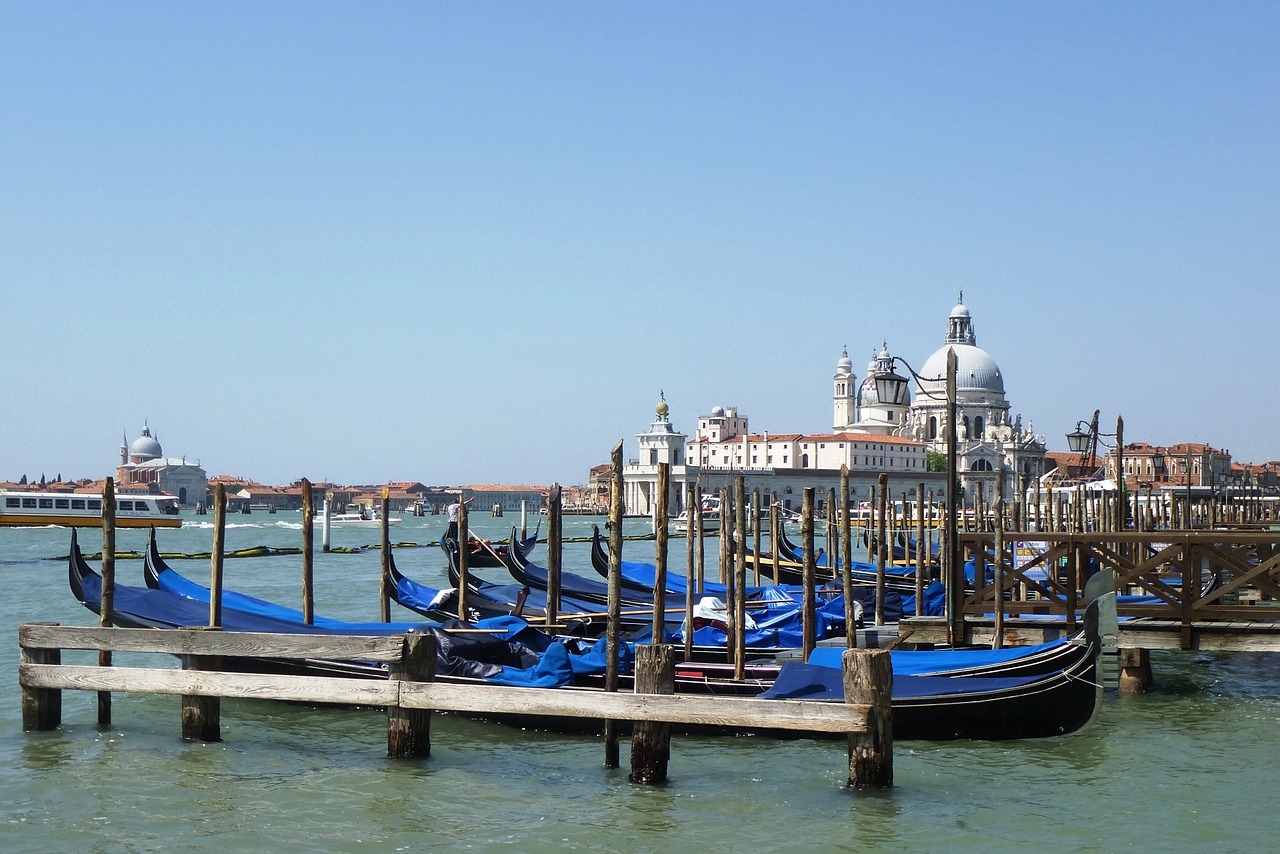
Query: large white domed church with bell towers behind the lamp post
x=988, y=441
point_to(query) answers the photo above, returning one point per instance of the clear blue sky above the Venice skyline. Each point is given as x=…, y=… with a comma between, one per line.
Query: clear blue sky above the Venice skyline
x=470, y=243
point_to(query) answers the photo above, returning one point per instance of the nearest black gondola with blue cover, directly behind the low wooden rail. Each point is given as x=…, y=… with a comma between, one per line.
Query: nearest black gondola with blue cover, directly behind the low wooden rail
x=966, y=704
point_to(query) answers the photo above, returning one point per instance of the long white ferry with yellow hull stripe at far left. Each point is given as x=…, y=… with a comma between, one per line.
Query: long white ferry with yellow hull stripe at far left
x=39, y=509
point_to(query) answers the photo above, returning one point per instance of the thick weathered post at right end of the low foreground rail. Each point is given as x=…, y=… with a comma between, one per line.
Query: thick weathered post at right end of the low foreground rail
x=870, y=681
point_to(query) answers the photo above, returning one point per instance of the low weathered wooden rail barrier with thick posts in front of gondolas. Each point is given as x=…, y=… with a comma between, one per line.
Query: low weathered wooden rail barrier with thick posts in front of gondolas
x=410, y=693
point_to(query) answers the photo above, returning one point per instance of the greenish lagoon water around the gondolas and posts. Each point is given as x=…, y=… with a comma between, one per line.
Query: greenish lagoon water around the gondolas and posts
x=1191, y=766
